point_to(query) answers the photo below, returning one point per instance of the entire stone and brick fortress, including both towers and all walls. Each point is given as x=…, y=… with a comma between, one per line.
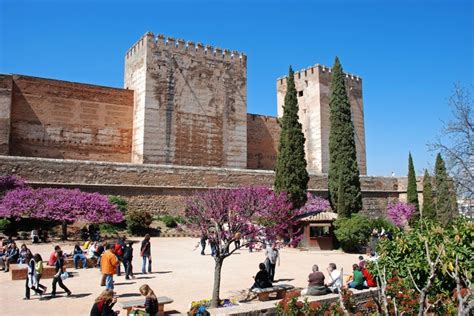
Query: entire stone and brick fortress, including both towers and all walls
x=180, y=125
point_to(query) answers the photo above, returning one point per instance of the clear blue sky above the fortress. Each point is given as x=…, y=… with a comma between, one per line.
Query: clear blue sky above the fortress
x=409, y=53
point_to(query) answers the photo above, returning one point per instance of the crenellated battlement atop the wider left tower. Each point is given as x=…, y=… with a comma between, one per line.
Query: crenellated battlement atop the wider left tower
x=163, y=42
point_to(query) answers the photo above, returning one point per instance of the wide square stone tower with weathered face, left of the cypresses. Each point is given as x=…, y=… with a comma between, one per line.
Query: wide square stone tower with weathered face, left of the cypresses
x=190, y=104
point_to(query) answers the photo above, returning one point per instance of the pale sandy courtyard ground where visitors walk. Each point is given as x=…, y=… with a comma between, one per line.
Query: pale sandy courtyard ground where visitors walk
x=179, y=272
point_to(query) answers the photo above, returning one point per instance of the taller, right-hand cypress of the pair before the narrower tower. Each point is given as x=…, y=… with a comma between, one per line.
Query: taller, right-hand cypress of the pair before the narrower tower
x=342, y=150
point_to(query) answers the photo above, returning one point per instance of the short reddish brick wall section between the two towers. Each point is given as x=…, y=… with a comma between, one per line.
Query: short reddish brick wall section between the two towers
x=263, y=134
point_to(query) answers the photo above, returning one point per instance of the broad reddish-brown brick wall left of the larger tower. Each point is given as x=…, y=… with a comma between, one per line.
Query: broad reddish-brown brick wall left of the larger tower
x=59, y=119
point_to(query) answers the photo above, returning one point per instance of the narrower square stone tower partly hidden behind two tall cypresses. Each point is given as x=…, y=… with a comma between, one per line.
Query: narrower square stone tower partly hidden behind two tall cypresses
x=313, y=88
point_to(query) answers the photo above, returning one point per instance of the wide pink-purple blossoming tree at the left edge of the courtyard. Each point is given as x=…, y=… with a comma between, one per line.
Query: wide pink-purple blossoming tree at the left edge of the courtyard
x=63, y=205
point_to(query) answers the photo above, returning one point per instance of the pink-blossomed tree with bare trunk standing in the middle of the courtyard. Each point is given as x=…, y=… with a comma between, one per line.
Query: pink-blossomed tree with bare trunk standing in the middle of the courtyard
x=256, y=215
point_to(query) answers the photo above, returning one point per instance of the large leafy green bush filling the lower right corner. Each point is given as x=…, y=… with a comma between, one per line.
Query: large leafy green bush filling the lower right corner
x=407, y=251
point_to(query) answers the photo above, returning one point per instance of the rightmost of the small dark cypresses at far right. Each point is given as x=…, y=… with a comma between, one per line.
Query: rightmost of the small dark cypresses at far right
x=446, y=205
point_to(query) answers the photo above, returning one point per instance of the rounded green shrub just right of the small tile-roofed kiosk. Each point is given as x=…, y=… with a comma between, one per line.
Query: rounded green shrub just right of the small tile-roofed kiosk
x=353, y=232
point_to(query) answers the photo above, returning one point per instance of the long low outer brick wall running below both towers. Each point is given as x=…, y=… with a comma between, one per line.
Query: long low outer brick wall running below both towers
x=162, y=188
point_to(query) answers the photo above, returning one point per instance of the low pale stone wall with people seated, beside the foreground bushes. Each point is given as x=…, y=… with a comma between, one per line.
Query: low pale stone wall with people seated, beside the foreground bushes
x=269, y=307
